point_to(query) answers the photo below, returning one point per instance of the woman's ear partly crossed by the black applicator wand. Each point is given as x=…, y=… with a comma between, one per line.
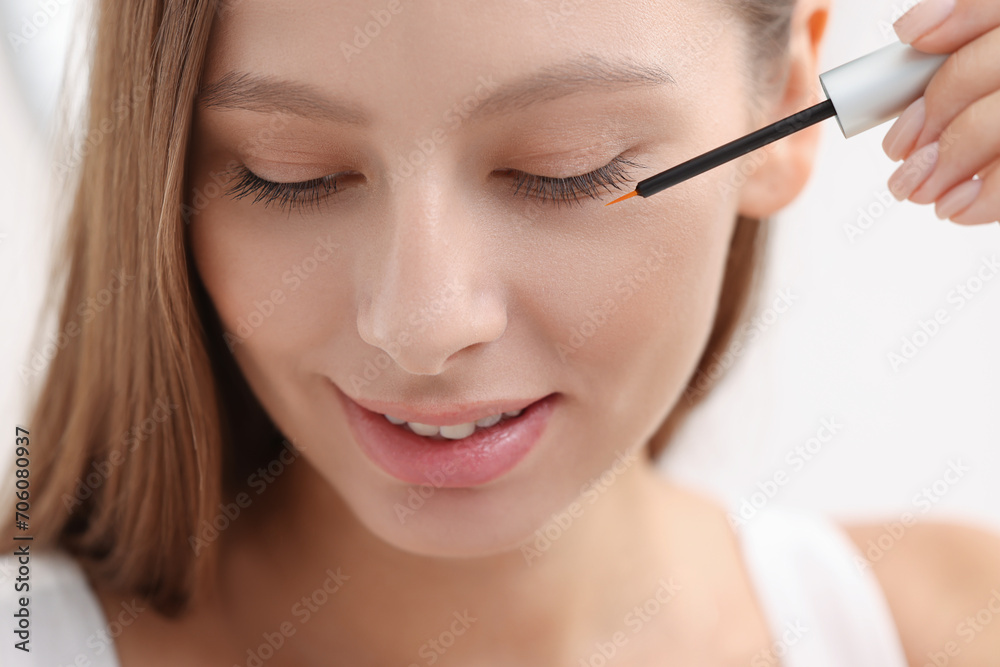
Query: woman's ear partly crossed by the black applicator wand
x=779, y=171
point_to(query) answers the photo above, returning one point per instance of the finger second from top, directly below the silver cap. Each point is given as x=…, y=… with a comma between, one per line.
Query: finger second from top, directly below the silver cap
x=968, y=75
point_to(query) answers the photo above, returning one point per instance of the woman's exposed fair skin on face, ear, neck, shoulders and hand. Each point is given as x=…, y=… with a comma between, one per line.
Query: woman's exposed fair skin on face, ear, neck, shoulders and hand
x=527, y=275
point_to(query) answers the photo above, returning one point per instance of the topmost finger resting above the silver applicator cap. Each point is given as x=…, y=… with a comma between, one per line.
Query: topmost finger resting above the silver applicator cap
x=943, y=26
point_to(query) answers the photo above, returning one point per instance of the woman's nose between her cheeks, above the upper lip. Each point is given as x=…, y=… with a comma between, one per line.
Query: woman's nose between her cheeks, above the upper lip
x=430, y=293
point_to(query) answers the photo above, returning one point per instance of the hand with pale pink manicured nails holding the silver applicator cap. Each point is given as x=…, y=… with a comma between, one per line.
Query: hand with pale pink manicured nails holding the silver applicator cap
x=952, y=133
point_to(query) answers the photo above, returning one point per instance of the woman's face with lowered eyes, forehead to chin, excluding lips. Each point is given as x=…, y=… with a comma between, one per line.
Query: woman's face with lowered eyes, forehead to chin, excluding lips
x=422, y=277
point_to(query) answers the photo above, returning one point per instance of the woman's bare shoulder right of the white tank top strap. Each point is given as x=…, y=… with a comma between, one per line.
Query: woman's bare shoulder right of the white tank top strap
x=942, y=582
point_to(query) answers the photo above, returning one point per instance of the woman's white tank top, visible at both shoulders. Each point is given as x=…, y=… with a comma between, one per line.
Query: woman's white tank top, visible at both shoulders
x=822, y=608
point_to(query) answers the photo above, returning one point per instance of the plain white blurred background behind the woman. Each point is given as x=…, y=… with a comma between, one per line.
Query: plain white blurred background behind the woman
x=825, y=357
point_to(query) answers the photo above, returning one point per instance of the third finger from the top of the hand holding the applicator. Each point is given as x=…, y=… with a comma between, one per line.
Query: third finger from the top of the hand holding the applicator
x=970, y=143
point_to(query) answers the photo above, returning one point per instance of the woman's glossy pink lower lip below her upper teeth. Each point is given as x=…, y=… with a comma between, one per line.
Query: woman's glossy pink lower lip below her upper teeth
x=480, y=458
